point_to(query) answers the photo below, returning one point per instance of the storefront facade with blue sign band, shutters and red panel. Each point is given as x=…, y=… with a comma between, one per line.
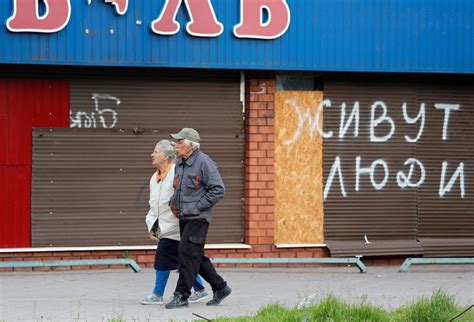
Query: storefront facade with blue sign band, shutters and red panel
x=341, y=128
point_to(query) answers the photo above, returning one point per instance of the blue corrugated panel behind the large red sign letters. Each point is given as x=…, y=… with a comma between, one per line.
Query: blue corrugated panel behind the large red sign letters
x=324, y=35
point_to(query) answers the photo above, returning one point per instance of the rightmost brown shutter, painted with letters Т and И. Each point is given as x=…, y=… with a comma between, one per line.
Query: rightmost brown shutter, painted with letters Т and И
x=446, y=224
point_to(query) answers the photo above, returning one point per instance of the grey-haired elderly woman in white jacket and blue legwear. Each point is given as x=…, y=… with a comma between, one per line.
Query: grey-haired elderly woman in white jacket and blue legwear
x=163, y=226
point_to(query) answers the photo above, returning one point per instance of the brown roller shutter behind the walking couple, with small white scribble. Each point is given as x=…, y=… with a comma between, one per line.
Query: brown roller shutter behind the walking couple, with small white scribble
x=90, y=186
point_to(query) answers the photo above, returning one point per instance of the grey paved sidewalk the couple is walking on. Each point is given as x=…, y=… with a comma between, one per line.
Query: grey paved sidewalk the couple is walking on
x=103, y=295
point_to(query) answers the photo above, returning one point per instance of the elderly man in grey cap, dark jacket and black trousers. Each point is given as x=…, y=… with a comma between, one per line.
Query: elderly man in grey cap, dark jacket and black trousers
x=198, y=187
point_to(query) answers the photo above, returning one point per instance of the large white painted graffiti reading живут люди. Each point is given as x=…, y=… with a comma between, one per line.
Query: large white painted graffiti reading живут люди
x=412, y=173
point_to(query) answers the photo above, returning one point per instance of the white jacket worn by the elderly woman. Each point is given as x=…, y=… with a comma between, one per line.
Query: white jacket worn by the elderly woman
x=160, y=194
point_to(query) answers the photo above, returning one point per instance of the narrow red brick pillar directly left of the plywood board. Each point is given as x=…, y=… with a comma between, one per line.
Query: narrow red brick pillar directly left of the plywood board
x=259, y=163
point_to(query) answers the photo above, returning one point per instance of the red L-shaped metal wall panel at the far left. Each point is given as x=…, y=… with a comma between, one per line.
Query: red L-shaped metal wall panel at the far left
x=24, y=104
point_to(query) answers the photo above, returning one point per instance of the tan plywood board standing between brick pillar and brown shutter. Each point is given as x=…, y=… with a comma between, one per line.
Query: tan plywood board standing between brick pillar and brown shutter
x=298, y=168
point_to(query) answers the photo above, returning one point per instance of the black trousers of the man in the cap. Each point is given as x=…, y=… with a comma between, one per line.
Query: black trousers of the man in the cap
x=192, y=260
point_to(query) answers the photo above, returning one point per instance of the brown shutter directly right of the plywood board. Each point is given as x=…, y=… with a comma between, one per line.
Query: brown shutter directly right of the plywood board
x=386, y=217
